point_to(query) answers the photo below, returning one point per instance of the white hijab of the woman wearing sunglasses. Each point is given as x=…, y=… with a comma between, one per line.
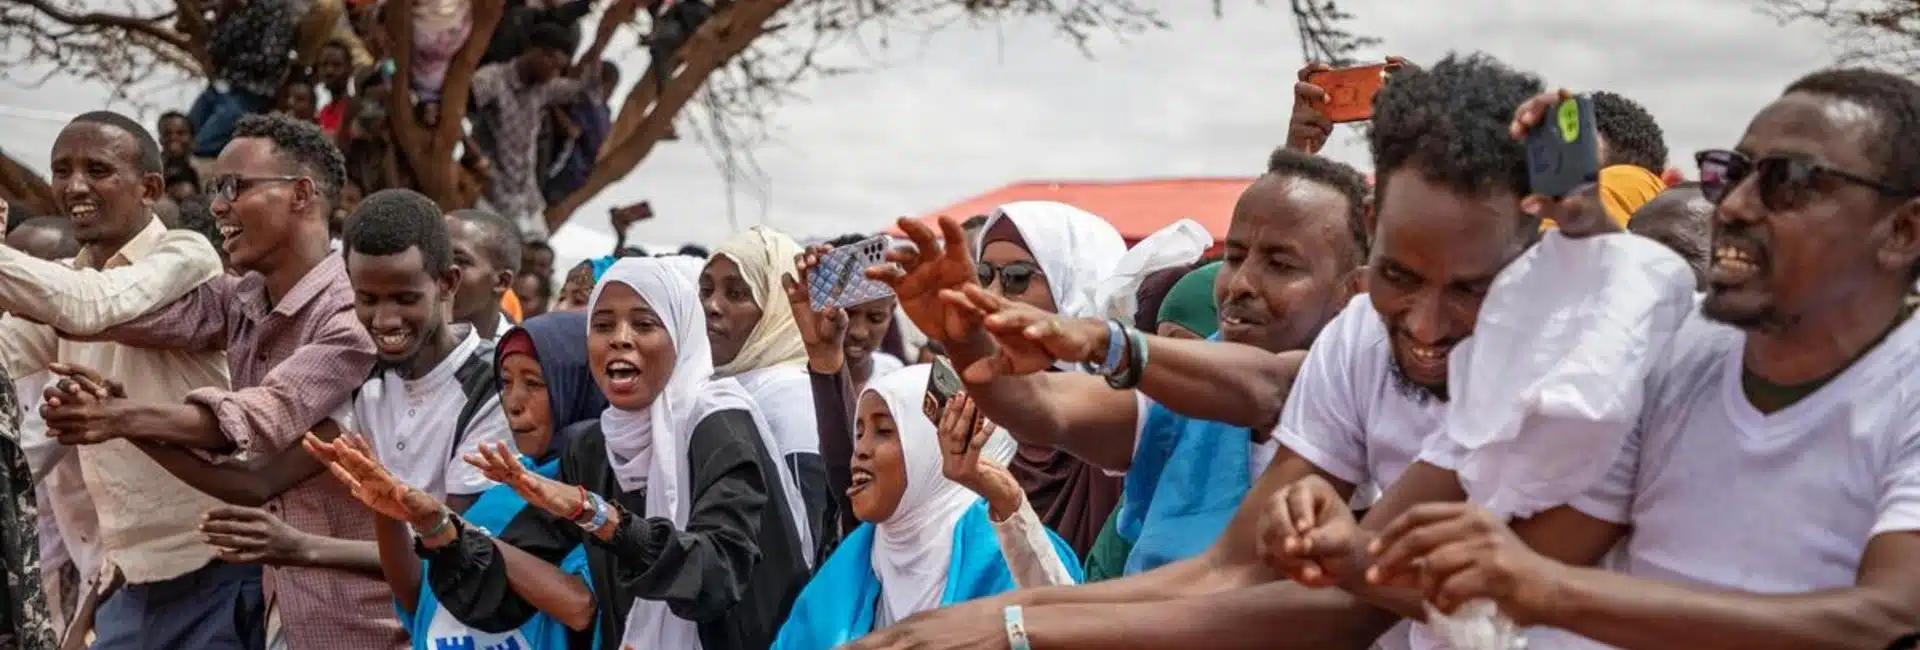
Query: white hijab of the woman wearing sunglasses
x=1074, y=248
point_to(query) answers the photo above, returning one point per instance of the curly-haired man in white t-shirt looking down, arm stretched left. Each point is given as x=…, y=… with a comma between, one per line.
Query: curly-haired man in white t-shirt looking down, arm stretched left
x=1366, y=404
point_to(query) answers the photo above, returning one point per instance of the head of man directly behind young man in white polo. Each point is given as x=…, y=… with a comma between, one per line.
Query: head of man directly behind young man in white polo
x=487, y=248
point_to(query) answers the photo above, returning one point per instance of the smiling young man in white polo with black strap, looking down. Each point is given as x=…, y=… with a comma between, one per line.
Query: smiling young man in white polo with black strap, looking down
x=433, y=398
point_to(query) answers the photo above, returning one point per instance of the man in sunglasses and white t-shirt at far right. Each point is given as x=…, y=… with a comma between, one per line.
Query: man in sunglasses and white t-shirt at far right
x=1777, y=496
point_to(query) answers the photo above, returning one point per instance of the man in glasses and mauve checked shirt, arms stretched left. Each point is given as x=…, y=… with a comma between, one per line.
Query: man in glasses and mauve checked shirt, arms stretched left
x=297, y=354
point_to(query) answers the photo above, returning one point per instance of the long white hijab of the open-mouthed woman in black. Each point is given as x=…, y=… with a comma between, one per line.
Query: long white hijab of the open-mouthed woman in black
x=650, y=448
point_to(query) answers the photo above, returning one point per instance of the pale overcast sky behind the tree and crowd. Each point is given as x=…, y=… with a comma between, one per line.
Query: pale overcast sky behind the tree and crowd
x=969, y=110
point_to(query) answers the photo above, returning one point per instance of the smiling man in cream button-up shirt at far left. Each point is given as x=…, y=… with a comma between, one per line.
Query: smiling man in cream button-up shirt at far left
x=126, y=517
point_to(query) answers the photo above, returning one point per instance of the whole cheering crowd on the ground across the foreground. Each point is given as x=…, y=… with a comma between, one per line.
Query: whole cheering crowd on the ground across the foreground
x=1420, y=409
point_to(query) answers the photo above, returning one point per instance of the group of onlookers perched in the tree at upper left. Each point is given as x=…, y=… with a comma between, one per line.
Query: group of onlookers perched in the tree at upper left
x=537, y=118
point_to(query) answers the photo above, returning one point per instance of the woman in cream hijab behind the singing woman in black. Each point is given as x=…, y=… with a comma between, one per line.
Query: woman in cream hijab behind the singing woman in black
x=757, y=342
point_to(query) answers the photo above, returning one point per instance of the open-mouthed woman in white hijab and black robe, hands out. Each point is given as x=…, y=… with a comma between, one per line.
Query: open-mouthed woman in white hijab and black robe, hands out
x=694, y=530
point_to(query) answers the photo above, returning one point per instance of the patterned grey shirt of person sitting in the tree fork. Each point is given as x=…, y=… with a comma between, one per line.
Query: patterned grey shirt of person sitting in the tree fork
x=510, y=116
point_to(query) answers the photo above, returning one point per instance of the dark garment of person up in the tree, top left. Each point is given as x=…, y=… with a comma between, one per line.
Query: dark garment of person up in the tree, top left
x=254, y=47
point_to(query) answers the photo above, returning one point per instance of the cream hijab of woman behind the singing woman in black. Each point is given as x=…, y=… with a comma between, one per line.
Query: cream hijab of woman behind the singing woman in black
x=763, y=258
